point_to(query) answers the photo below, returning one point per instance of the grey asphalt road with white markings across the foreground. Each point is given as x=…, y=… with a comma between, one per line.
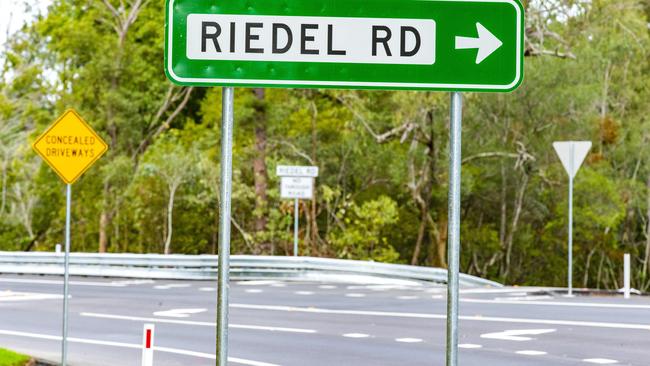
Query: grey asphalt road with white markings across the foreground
x=319, y=324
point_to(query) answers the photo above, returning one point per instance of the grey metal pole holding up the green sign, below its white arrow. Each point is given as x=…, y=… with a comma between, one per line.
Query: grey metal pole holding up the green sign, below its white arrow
x=454, y=227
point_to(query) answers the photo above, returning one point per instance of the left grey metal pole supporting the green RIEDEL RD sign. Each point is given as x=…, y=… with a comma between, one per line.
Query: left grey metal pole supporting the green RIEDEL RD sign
x=227, y=117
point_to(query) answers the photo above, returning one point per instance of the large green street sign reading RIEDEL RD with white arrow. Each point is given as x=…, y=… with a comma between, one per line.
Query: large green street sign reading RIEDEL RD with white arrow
x=473, y=45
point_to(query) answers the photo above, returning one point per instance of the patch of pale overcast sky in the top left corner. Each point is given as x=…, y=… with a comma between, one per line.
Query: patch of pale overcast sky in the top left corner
x=13, y=13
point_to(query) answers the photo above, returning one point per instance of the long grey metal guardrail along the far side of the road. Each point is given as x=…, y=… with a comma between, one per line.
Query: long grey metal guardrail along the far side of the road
x=204, y=267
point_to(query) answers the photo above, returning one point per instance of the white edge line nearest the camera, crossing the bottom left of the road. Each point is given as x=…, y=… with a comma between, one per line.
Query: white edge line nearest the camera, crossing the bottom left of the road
x=240, y=361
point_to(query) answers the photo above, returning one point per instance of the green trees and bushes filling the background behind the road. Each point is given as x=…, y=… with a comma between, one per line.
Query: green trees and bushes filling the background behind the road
x=382, y=190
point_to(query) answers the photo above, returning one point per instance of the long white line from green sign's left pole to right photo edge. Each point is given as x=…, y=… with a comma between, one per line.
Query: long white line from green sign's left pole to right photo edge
x=440, y=316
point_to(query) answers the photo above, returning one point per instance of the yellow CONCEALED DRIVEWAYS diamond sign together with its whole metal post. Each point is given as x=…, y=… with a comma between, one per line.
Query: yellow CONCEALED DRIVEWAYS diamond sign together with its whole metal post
x=69, y=146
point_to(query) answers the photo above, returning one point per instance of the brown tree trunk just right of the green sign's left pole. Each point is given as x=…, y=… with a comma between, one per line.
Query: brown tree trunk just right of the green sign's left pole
x=259, y=163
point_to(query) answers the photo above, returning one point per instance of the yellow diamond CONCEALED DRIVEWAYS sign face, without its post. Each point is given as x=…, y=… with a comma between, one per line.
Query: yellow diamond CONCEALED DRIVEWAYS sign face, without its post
x=70, y=146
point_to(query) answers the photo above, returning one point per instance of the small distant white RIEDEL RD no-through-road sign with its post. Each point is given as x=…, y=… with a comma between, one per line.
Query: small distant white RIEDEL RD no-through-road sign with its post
x=296, y=182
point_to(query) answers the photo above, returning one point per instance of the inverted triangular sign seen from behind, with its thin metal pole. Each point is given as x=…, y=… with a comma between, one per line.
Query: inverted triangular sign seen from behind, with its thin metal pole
x=571, y=154
